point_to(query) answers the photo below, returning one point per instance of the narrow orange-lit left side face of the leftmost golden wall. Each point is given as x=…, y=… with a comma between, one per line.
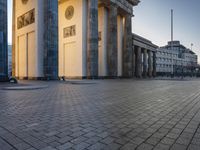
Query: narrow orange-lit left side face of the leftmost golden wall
x=13, y=40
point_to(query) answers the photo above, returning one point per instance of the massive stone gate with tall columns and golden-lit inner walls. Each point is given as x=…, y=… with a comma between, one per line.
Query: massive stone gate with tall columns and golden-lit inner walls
x=74, y=39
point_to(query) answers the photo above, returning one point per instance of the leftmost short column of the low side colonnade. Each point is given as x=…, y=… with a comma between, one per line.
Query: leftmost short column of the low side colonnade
x=138, y=63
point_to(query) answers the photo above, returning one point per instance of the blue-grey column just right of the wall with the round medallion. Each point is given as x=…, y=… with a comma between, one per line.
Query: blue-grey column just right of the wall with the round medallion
x=92, y=39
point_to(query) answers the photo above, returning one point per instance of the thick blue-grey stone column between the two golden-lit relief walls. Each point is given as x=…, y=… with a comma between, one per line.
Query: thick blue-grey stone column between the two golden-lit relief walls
x=51, y=39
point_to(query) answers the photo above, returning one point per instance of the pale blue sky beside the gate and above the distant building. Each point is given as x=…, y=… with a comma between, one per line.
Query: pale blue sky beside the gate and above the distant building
x=152, y=21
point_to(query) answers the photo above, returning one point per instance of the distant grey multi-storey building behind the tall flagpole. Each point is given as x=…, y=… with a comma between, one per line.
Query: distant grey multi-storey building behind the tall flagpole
x=184, y=59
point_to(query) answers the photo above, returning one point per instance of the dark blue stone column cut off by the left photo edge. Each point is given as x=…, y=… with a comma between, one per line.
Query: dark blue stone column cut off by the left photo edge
x=3, y=41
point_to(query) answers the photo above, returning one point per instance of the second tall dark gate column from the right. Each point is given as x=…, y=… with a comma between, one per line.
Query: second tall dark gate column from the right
x=112, y=41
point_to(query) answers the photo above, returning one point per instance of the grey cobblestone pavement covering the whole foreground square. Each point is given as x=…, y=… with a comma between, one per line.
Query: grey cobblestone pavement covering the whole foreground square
x=102, y=114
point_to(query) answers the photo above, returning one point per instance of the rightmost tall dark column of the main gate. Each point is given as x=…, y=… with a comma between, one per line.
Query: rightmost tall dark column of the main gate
x=127, y=52
